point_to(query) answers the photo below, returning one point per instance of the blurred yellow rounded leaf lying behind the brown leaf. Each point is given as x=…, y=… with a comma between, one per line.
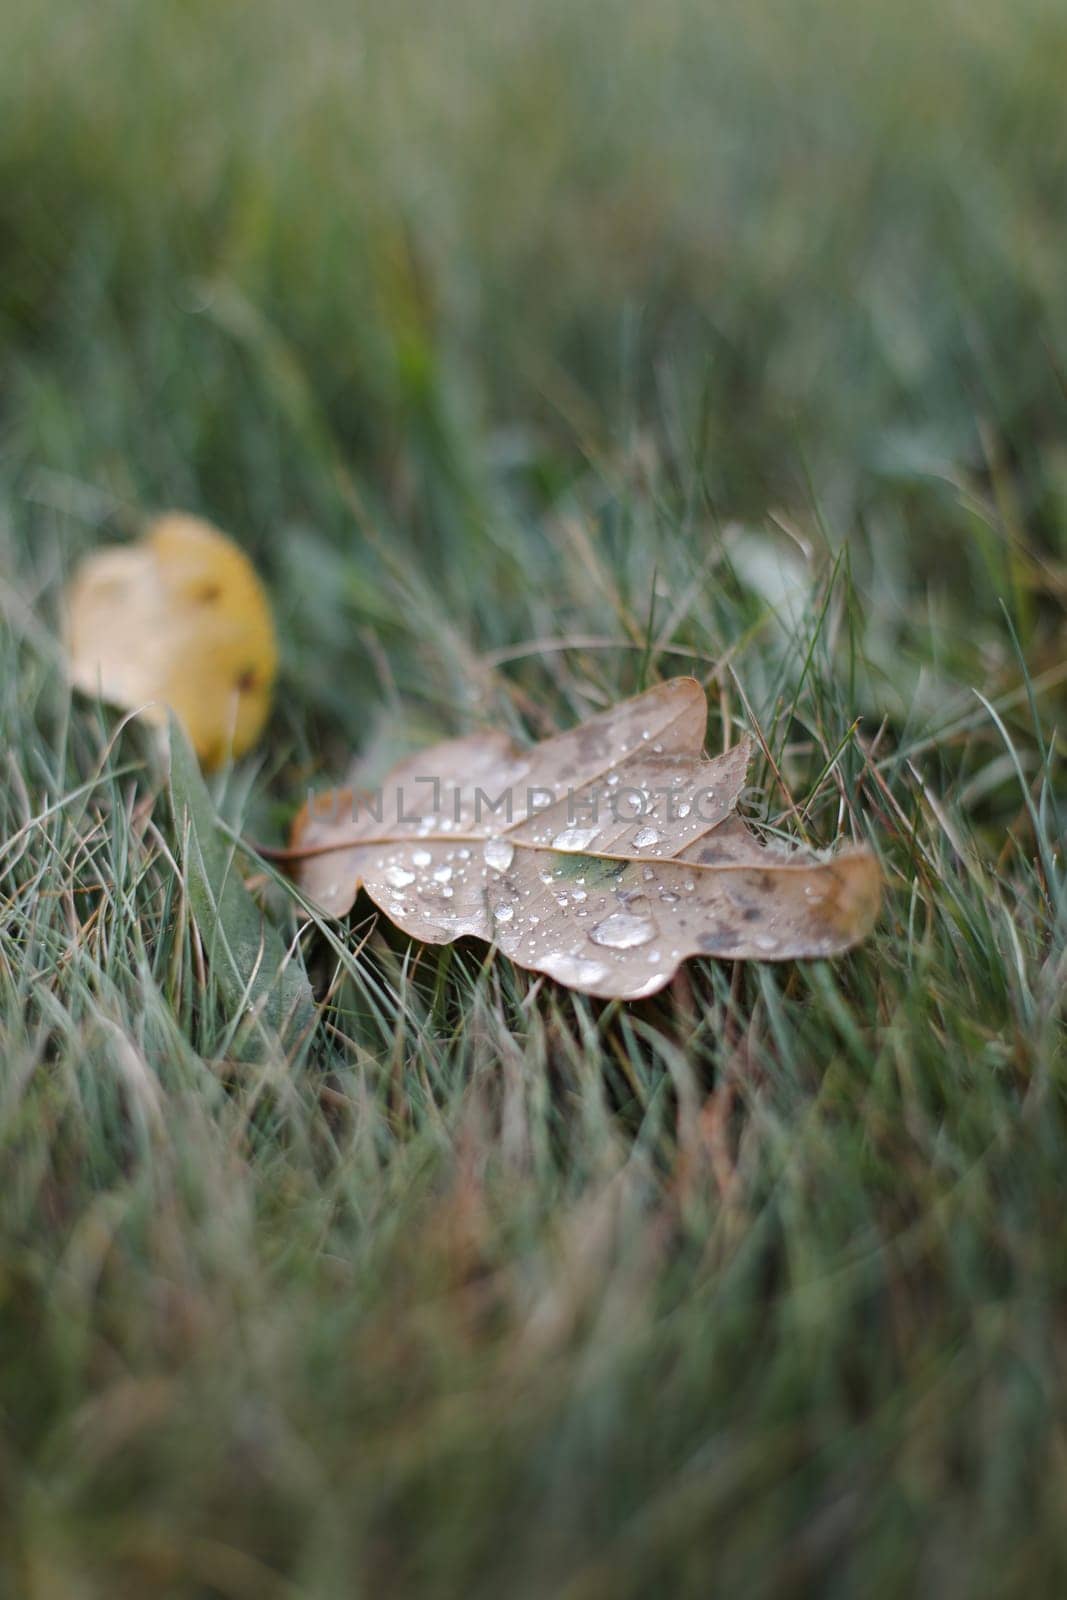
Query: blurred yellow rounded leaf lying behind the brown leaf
x=177, y=620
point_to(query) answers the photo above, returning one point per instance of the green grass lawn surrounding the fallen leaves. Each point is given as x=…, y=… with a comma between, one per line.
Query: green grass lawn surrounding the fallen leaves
x=538, y=353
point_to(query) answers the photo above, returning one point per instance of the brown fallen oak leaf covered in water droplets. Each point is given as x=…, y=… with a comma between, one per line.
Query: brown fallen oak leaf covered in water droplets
x=538, y=852
